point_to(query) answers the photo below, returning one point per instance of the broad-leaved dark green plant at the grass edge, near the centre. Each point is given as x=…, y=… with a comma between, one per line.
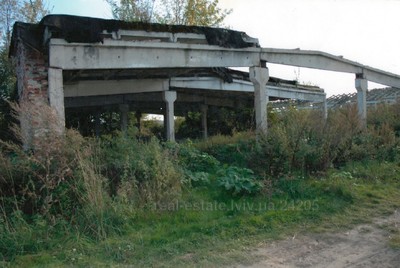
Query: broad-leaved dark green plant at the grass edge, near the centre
x=238, y=181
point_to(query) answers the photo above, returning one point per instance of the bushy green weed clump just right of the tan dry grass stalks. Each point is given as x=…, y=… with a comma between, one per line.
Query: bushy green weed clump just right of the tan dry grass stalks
x=140, y=173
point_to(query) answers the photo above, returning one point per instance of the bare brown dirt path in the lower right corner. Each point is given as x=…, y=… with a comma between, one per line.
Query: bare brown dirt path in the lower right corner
x=364, y=246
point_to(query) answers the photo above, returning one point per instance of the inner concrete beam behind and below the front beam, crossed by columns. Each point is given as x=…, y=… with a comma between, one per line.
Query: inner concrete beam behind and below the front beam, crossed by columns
x=116, y=87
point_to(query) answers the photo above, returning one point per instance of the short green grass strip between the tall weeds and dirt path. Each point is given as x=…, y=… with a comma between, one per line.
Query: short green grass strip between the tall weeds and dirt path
x=207, y=230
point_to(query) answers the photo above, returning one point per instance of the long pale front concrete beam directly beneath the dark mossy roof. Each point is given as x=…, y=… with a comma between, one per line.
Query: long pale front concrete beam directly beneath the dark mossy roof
x=127, y=55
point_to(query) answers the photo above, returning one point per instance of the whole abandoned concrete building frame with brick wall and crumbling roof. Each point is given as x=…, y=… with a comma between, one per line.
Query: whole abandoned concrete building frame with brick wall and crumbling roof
x=69, y=61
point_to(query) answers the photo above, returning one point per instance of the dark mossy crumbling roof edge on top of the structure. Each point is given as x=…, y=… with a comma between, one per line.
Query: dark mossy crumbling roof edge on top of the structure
x=89, y=30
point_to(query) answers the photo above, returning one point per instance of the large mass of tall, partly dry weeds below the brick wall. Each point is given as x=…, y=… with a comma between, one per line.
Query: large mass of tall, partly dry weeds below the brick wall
x=61, y=182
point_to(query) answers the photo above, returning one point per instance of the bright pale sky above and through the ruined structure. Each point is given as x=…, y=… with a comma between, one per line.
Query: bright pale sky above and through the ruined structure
x=366, y=31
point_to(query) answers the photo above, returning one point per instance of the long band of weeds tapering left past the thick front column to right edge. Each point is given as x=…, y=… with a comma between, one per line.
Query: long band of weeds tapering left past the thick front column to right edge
x=304, y=142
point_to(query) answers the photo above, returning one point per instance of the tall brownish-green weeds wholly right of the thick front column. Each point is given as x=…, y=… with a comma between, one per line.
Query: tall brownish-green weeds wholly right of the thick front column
x=303, y=141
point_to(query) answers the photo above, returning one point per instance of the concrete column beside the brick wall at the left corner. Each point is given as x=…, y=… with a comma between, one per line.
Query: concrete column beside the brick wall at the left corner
x=56, y=96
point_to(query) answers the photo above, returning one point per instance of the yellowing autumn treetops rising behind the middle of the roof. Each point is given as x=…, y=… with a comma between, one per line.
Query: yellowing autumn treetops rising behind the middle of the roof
x=183, y=12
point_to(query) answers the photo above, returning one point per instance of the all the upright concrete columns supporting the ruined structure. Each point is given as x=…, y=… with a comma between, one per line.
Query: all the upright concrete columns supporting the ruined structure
x=259, y=76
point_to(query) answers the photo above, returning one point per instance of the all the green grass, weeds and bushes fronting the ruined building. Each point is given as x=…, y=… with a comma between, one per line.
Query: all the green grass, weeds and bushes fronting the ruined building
x=118, y=200
